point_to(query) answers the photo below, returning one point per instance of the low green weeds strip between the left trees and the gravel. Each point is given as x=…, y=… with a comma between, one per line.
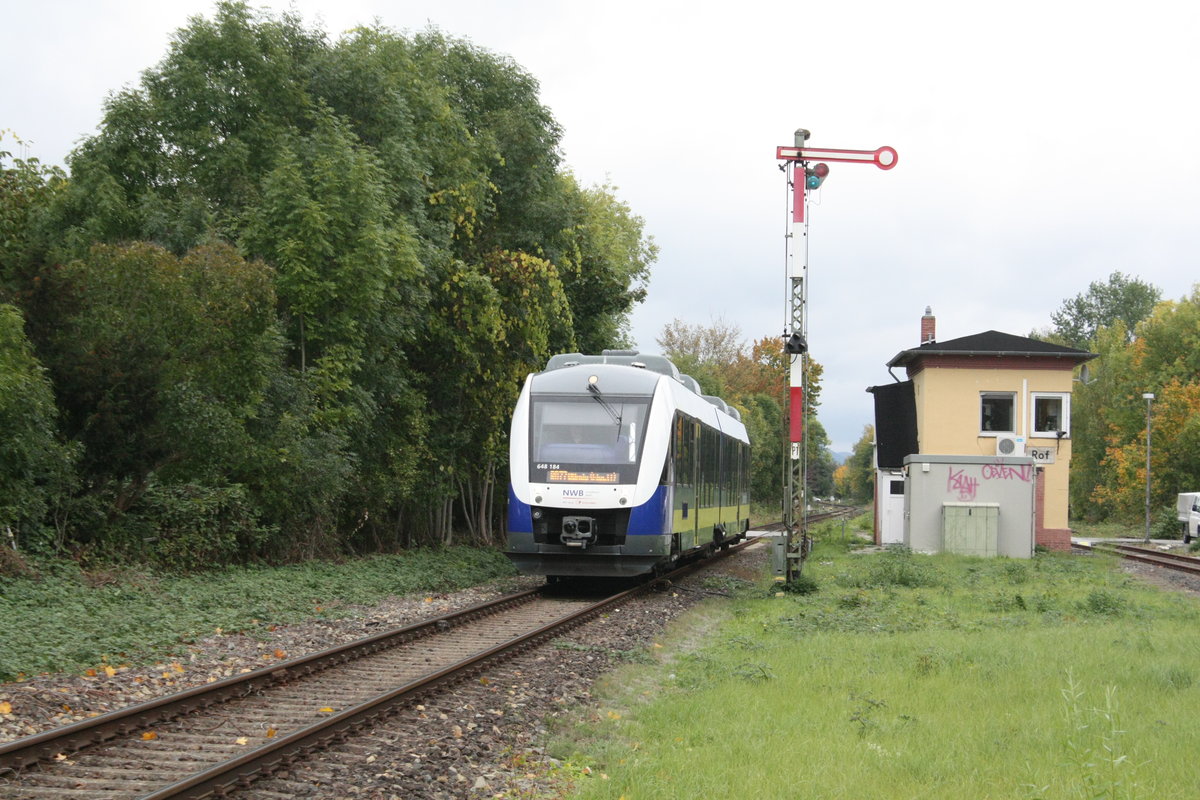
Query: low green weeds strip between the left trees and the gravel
x=63, y=619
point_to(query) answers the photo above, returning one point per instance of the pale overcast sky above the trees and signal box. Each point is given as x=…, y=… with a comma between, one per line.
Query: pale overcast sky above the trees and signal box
x=1042, y=146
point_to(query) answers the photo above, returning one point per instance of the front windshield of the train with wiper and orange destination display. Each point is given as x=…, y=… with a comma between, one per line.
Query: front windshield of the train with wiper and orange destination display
x=595, y=440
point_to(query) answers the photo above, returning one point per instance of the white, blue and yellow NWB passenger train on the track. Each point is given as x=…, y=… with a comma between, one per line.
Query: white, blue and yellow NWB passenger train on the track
x=621, y=467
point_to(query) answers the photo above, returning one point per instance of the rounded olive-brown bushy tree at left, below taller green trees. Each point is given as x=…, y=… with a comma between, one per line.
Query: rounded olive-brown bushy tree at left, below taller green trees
x=161, y=364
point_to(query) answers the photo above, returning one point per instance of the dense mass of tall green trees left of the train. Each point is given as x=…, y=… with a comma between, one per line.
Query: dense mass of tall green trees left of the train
x=287, y=296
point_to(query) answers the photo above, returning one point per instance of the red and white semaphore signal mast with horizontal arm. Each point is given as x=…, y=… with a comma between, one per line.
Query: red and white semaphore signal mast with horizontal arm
x=802, y=178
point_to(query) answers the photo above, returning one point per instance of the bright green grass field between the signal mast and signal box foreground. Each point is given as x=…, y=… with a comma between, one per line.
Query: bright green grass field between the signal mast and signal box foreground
x=911, y=677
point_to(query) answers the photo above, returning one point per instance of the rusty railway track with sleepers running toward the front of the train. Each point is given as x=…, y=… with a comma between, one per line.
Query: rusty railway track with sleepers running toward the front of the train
x=217, y=739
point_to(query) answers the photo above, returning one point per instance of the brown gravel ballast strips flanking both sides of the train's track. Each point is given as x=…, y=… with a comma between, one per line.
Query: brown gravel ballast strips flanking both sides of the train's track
x=479, y=739
